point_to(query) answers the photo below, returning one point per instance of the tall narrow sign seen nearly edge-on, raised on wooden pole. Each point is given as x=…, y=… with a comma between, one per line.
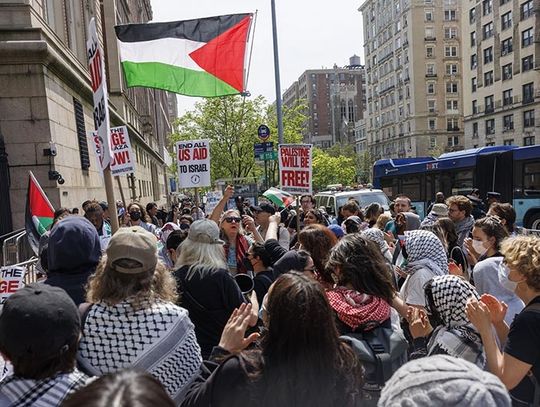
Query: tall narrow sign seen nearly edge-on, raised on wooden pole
x=96, y=66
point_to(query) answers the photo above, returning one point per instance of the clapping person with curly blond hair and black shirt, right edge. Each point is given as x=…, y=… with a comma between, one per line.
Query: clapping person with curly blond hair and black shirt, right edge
x=518, y=366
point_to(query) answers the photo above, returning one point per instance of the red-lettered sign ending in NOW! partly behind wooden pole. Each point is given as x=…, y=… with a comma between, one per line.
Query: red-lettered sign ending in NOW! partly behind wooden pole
x=123, y=158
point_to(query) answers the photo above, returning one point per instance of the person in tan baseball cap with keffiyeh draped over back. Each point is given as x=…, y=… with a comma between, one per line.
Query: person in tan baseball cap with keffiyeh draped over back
x=131, y=319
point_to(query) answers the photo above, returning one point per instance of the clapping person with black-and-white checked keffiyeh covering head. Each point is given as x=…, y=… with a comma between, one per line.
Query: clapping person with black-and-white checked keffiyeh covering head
x=454, y=335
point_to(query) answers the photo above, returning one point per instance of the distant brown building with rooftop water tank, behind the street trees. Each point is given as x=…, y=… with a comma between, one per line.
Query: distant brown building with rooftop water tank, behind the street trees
x=335, y=100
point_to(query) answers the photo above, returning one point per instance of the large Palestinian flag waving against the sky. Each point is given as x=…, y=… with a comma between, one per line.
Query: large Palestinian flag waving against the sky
x=203, y=57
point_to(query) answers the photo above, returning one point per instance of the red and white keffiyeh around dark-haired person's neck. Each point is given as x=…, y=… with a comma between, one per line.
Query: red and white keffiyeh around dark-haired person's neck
x=358, y=310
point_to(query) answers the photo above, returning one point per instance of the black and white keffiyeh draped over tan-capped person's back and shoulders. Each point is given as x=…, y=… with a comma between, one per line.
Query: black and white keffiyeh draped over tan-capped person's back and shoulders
x=159, y=338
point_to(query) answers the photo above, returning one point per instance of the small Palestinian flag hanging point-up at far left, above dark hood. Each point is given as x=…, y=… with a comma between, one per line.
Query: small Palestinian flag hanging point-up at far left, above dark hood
x=39, y=212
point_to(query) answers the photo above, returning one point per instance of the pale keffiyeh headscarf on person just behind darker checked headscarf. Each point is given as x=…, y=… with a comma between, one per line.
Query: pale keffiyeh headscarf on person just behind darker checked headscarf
x=425, y=250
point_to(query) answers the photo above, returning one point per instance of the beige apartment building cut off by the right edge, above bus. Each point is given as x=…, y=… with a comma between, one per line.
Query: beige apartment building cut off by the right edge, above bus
x=501, y=62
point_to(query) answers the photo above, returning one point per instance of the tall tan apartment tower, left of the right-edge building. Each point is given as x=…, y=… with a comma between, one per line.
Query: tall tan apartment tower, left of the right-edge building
x=414, y=77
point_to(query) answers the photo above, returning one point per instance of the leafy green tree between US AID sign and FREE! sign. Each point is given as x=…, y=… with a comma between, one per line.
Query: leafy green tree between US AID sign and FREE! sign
x=230, y=123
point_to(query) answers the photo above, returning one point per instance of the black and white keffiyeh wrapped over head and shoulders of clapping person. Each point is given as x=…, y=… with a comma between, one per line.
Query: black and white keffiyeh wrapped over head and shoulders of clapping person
x=457, y=336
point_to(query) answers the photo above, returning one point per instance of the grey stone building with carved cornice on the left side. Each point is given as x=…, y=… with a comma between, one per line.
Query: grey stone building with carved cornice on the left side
x=46, y=105
